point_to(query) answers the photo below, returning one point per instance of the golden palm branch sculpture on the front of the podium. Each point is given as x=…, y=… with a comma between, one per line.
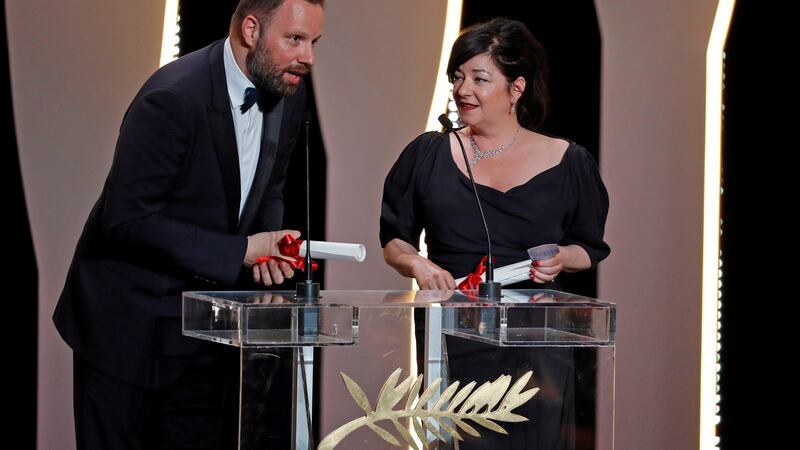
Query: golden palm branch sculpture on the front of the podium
x=490, y=403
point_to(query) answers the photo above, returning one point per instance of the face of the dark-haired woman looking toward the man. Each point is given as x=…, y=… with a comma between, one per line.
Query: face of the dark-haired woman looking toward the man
x=481, y=92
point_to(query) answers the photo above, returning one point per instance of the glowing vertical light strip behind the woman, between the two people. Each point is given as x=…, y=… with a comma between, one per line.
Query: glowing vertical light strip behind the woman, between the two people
x=441, y=93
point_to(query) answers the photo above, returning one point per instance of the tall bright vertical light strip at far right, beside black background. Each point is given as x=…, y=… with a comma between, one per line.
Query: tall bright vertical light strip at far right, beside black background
x=709, y=399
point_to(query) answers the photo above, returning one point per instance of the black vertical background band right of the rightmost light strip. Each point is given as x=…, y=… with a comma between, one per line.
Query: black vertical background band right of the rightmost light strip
x=755, y=314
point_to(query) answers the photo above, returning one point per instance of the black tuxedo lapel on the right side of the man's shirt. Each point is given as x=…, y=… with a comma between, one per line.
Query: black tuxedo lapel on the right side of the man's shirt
x=266, y=160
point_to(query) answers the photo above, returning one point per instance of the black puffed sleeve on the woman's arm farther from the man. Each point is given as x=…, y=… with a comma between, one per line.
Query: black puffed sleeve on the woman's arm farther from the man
x=588, y=222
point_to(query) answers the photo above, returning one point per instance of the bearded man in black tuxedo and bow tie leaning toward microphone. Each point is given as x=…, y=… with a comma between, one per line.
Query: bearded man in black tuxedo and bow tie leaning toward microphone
x=193, y=197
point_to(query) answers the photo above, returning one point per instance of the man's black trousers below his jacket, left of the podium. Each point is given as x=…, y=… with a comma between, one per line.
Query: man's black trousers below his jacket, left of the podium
x=198, y=411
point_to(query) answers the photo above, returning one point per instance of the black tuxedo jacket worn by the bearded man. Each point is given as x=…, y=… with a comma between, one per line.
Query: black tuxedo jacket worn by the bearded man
x=167, y=220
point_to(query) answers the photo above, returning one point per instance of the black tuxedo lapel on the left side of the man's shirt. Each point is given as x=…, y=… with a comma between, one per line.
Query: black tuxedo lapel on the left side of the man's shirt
x=224, y=135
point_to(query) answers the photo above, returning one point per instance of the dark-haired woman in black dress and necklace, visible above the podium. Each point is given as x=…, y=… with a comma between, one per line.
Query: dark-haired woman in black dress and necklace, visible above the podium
x=535, y=189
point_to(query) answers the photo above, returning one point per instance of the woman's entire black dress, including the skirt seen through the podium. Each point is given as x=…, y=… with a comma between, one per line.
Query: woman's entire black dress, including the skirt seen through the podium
x=566, y=204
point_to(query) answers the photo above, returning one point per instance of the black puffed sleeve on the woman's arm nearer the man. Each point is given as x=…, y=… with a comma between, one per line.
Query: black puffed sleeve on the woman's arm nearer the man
x=398, y=218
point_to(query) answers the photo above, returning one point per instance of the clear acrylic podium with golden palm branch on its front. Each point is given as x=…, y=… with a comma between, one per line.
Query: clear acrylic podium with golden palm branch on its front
x=339, y=360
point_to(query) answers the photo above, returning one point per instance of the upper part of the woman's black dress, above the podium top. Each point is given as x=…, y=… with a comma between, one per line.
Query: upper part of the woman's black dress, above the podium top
x=566, y=204
